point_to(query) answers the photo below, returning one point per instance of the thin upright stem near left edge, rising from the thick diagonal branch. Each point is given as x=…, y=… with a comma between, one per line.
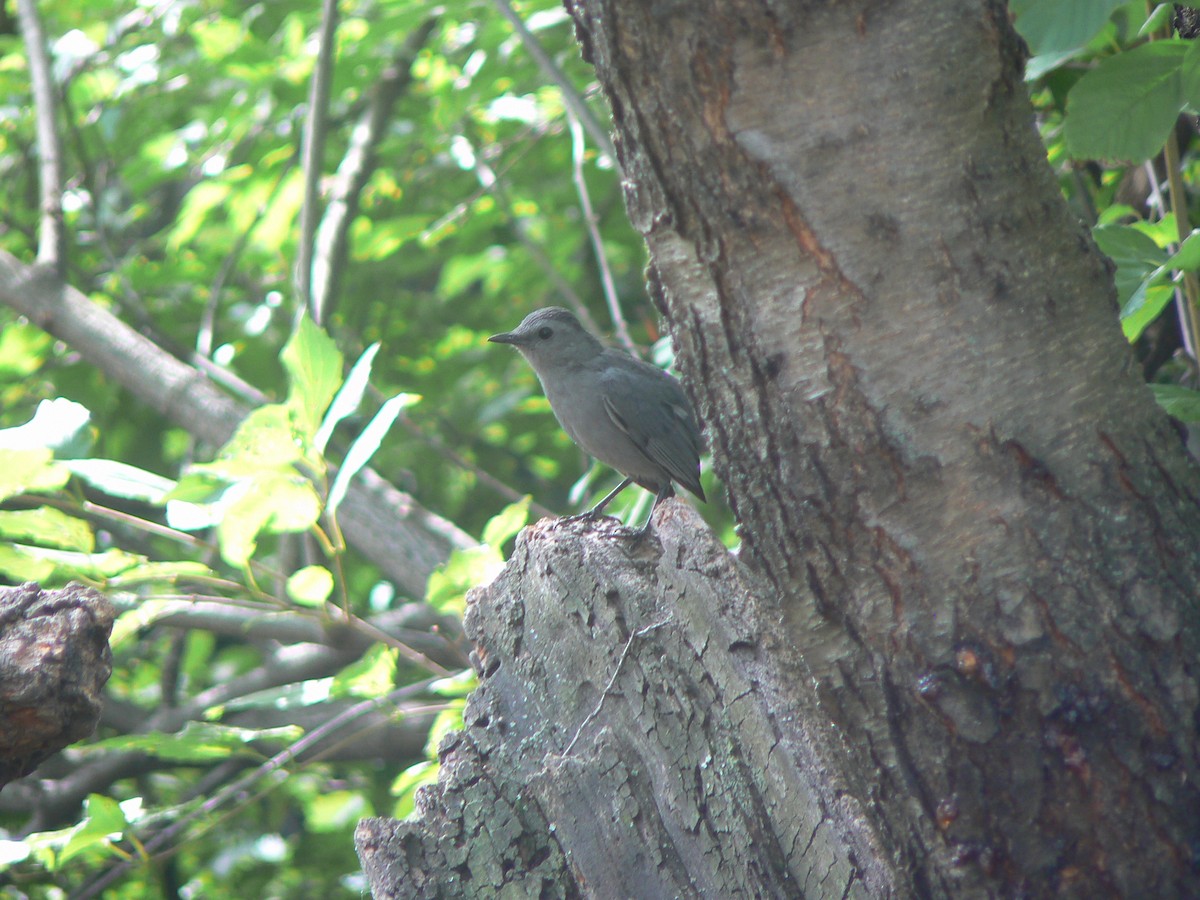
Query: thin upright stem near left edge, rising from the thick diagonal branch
x=52, y=242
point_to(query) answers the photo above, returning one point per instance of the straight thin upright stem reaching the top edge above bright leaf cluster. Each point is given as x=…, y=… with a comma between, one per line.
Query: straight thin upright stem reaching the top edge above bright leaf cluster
x=314, y=157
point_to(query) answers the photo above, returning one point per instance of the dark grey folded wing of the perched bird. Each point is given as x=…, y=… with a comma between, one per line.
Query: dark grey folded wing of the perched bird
x=662, y=428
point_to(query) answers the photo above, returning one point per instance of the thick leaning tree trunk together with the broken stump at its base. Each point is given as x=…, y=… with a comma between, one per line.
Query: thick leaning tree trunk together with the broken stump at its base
x=965, y=605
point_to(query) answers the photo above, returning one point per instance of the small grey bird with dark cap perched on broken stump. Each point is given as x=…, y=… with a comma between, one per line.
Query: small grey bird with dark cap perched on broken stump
x=626, y=413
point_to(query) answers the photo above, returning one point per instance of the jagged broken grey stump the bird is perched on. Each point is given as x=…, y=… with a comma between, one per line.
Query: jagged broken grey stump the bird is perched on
x=627, y=740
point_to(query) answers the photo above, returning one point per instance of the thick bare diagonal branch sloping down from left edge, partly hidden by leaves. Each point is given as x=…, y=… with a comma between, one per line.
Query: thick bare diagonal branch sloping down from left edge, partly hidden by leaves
x=386, y=525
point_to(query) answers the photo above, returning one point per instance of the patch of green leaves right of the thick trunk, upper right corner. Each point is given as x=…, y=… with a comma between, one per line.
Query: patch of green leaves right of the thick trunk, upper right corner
x=1111, y=82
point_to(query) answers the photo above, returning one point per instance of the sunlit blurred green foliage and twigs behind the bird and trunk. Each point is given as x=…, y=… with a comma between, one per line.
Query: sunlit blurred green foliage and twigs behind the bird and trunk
x=183, y=124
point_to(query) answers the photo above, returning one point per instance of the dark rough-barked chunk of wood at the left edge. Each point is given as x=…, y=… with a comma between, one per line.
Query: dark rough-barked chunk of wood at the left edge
x=55, y=662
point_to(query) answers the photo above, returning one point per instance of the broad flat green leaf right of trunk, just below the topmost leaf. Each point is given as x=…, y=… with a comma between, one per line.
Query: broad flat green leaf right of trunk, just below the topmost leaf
x=1125, y=109
